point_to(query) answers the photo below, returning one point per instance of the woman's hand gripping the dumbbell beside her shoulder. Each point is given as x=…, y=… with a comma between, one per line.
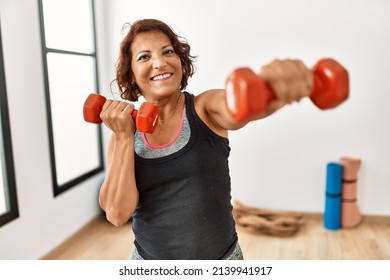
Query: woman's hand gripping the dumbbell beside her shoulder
x=116, y=115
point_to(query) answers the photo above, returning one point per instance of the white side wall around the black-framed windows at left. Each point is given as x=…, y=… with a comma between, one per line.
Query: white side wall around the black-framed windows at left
x=44, y=221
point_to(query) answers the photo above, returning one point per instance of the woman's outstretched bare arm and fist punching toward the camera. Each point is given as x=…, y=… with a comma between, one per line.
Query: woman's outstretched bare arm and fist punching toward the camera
x=290, y=81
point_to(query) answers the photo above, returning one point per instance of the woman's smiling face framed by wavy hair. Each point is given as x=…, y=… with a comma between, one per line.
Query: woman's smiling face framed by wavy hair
x=156, y=67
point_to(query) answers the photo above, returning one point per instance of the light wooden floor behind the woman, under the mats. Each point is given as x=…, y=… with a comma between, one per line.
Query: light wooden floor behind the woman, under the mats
x=99, y=240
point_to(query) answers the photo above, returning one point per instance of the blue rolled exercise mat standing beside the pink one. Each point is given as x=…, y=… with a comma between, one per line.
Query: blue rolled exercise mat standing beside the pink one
x=334, y=179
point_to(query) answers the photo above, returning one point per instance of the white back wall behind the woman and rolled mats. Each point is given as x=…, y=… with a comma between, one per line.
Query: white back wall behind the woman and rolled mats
x=280, y=162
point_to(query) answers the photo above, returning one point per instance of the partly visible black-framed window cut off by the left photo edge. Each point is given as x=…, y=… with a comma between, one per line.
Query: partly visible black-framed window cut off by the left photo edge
x=8, y=202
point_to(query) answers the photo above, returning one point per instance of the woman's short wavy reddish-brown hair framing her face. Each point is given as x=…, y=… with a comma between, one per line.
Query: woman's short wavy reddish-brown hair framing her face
x=124, y=75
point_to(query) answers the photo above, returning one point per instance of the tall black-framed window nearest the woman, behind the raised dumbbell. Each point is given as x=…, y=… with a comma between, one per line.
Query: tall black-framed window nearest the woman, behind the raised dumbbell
x=70, y=66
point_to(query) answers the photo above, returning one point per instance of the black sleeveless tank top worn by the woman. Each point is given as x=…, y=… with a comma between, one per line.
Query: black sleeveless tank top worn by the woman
x=184, y=209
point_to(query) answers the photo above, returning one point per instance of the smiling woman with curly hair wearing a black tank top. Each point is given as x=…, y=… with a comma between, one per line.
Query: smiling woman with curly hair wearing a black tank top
x=175, y=182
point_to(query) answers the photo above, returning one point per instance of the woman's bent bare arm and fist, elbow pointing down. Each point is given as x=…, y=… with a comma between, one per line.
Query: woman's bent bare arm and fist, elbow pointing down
x=118, y=195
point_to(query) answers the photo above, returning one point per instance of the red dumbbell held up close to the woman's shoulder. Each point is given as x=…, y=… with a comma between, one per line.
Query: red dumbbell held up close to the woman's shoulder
x=145, y=118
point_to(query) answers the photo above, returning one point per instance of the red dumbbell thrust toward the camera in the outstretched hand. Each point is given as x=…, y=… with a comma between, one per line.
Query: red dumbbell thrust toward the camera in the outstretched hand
x=247, y=94
